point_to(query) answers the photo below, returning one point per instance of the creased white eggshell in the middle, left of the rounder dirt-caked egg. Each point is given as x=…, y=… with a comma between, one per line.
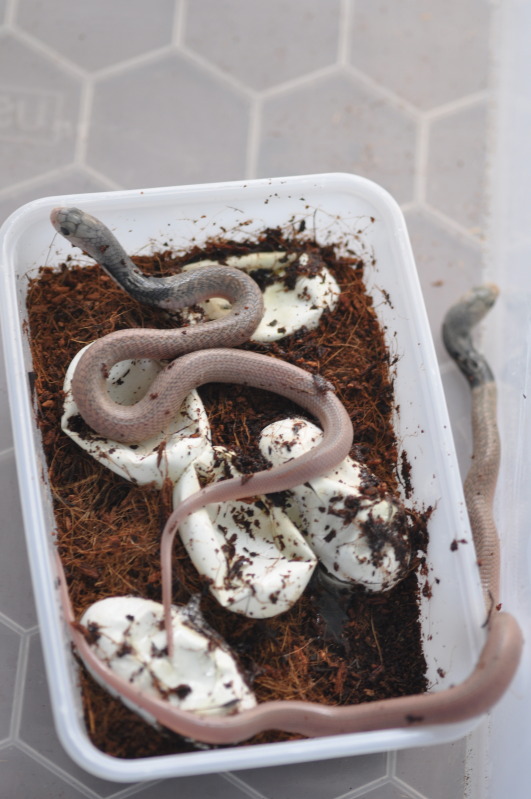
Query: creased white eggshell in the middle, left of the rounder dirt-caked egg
x=255, y=560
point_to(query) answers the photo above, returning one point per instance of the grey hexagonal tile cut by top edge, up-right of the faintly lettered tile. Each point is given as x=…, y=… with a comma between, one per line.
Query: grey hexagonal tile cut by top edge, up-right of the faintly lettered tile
x=102, y=33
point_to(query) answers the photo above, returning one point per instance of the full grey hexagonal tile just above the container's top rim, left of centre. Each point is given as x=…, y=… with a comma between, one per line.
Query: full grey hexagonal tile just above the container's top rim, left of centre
x=167, y=122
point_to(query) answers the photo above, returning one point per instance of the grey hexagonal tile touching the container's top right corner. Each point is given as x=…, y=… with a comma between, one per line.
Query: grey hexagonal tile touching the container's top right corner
x=338, y=124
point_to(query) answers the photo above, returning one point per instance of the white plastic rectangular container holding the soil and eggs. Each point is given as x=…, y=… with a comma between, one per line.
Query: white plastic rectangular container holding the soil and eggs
x=336, y=208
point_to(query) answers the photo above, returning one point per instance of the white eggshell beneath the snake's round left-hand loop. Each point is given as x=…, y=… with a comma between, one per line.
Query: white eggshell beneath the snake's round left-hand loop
x=155, y=459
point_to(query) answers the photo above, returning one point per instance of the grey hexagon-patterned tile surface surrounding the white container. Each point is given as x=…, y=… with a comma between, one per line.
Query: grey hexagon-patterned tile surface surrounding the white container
x=134, y=94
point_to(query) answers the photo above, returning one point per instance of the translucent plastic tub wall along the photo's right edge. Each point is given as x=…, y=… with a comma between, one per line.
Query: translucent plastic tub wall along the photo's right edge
x=502, y=750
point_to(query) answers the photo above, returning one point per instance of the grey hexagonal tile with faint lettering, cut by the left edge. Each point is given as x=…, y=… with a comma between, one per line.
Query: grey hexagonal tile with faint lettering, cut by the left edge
x=39, y=105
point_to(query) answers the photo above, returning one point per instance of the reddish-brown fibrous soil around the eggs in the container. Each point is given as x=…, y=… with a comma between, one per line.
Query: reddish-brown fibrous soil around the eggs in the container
x=360, y=648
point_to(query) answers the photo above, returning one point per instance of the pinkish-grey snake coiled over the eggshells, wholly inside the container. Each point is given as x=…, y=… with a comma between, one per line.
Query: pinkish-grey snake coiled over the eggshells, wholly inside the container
x=201, y=364
